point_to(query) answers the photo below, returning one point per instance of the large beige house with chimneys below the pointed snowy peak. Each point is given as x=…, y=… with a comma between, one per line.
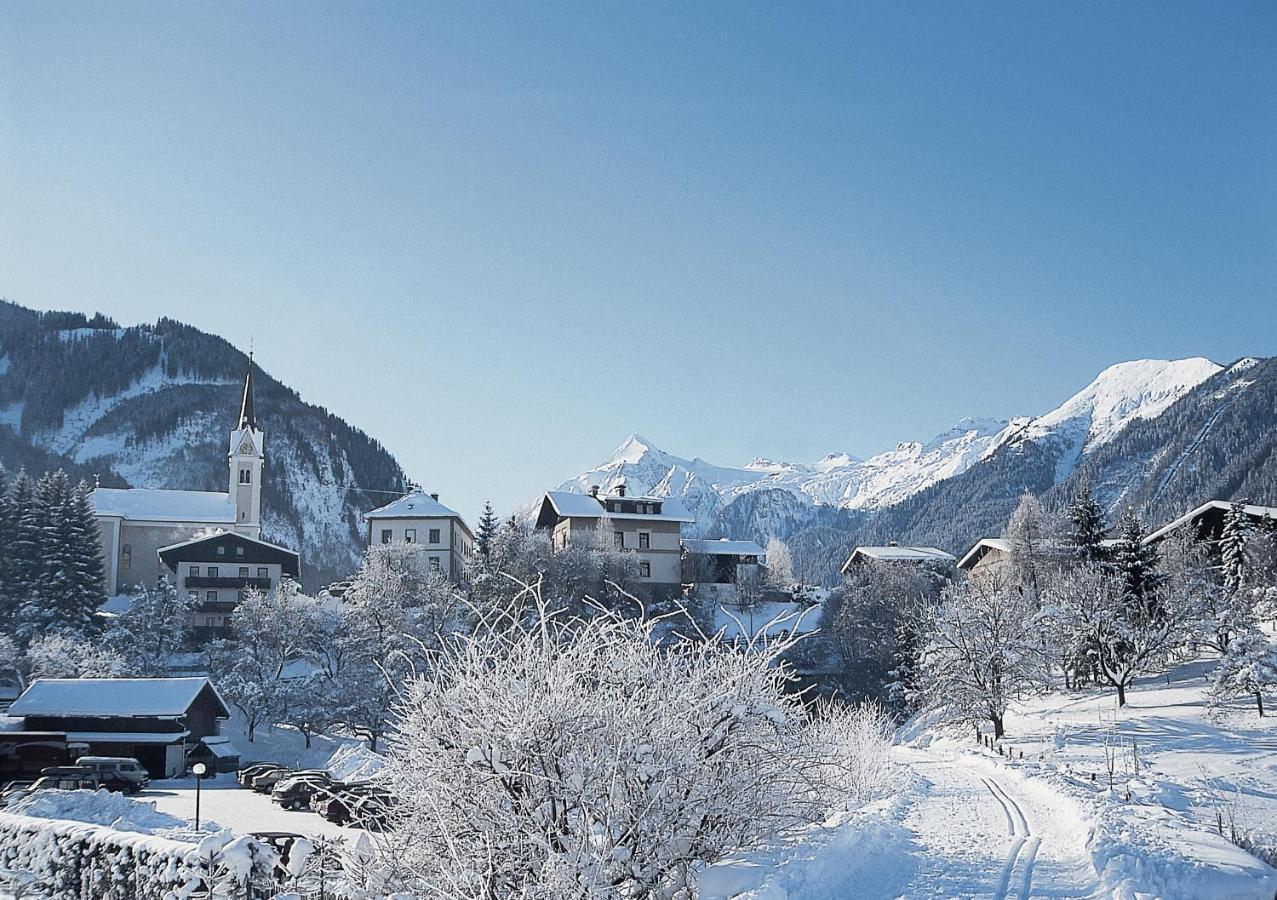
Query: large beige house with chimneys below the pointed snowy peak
x=649, y=527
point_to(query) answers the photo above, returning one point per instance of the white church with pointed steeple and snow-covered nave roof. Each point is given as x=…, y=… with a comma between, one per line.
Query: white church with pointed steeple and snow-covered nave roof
x=137, y=523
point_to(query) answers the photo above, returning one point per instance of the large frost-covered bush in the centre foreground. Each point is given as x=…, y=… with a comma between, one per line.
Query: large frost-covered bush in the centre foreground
x=571, y=758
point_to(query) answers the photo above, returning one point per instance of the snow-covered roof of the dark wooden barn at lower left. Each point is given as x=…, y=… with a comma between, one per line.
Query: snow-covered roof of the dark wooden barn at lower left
x=110, y=698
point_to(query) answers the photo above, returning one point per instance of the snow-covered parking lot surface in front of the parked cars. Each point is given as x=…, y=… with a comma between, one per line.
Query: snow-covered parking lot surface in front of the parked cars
x=223, y=801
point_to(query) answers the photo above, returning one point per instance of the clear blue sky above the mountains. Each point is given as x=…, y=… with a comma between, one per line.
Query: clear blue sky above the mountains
x=500, y=238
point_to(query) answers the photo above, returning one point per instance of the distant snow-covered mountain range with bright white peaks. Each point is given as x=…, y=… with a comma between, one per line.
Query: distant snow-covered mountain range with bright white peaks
x=1092, y=418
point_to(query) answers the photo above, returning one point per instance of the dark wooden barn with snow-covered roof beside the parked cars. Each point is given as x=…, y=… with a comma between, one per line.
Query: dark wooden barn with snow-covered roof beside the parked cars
x=154, y=721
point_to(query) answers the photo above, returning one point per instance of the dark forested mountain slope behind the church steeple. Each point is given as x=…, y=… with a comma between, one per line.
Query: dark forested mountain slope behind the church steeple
x=151, y=407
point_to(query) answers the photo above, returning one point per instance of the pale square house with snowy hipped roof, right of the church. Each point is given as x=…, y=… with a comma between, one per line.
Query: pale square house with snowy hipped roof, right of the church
x=442, y=539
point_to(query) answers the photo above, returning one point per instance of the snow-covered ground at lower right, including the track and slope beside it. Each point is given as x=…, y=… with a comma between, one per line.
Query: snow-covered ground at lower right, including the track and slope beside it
x=970, y=823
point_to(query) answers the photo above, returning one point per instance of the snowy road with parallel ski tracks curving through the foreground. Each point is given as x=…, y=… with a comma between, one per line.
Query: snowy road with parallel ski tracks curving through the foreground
x=976, y=836
